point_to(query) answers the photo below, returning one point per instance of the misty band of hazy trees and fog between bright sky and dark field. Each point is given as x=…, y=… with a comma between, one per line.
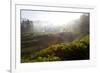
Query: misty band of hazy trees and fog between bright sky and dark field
x=78, y=25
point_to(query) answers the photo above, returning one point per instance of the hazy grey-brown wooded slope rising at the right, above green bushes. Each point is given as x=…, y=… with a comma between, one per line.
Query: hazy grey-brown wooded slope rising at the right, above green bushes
x=80, y=25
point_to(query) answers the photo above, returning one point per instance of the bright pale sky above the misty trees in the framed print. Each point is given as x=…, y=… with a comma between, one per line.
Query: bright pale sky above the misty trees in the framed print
x=56, y=18
